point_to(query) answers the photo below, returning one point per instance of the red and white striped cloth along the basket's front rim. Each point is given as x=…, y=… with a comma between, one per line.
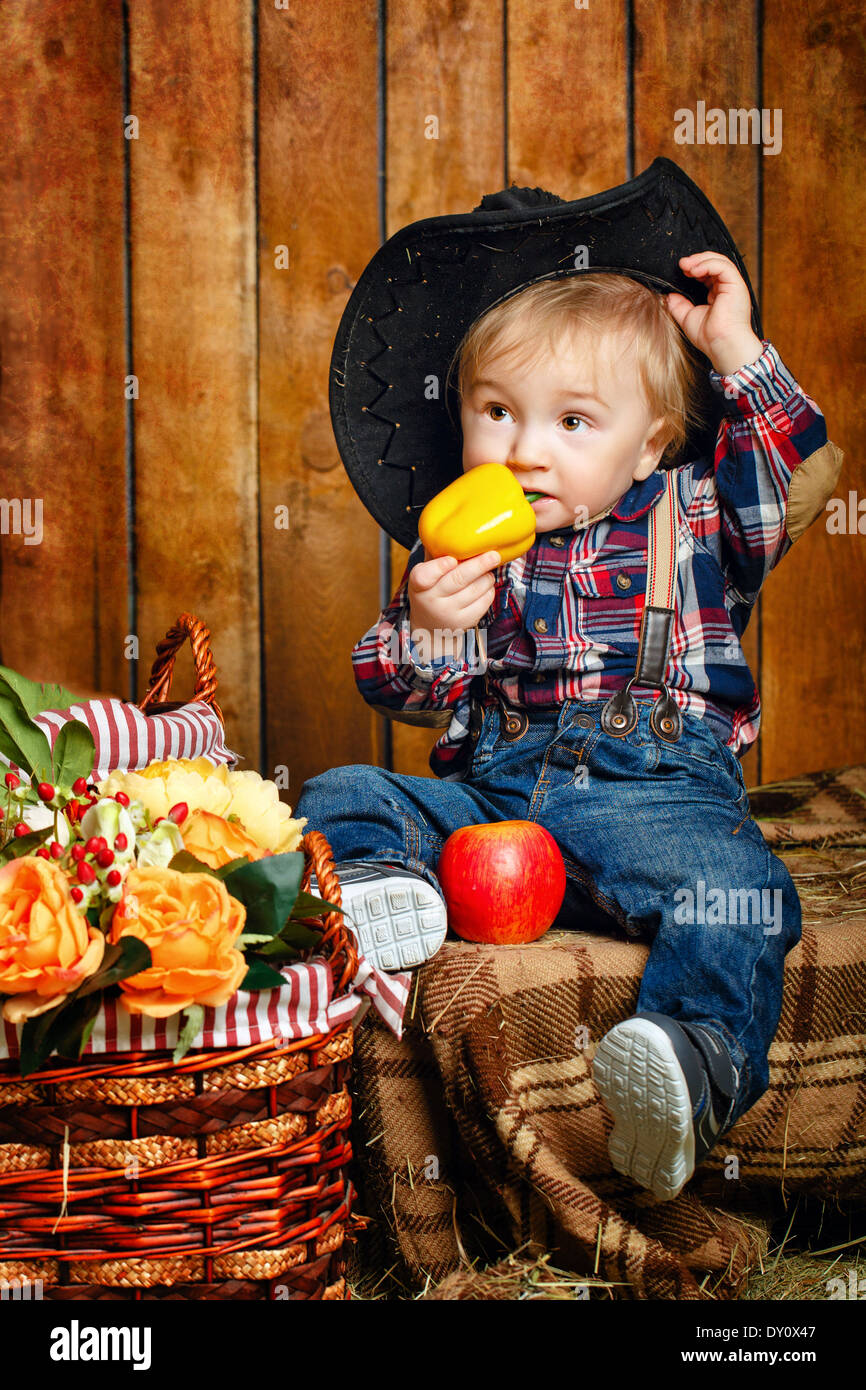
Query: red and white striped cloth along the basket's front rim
x=302, y=1008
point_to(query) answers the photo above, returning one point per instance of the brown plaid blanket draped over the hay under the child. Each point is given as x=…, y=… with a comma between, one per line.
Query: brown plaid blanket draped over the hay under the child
x=484, y=1124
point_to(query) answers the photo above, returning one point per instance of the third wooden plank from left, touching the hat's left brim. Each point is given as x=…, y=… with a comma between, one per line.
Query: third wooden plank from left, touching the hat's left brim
x=319, y=198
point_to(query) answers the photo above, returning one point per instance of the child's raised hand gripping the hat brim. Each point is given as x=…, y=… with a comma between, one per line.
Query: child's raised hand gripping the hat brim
x=722, y=329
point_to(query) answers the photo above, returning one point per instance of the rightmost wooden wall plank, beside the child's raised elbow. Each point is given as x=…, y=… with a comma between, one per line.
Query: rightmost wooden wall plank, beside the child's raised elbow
x=815, y=212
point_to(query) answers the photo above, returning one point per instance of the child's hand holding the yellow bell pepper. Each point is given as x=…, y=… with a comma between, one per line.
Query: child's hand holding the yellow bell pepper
x=447, y=597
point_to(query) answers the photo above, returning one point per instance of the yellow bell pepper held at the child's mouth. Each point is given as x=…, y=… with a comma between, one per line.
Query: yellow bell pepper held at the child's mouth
x=486, y=509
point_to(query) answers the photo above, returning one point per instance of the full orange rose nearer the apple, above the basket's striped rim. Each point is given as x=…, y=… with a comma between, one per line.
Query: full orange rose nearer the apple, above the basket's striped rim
x=191, y=925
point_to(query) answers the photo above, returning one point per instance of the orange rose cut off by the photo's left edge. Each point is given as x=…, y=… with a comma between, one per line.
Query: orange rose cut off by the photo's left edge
x=48, y=947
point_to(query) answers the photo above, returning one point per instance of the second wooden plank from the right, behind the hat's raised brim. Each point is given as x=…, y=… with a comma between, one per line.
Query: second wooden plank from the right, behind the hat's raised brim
x=683, y=55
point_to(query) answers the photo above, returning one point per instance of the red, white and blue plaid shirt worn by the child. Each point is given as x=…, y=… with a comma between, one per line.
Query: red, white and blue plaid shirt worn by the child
x=566, y=616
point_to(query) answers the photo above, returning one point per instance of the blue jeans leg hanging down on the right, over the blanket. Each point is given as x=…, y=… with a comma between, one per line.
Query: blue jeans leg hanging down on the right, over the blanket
x=662, y=836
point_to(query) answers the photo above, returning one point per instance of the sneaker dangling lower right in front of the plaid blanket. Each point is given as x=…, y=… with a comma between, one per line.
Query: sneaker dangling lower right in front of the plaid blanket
x=671, y=1089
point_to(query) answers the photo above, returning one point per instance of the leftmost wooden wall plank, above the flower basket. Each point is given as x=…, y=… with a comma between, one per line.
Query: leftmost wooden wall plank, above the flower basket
x=63, y=601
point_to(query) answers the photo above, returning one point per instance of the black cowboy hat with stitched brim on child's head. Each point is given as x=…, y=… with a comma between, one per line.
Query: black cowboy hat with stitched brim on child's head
x=394, y=412
